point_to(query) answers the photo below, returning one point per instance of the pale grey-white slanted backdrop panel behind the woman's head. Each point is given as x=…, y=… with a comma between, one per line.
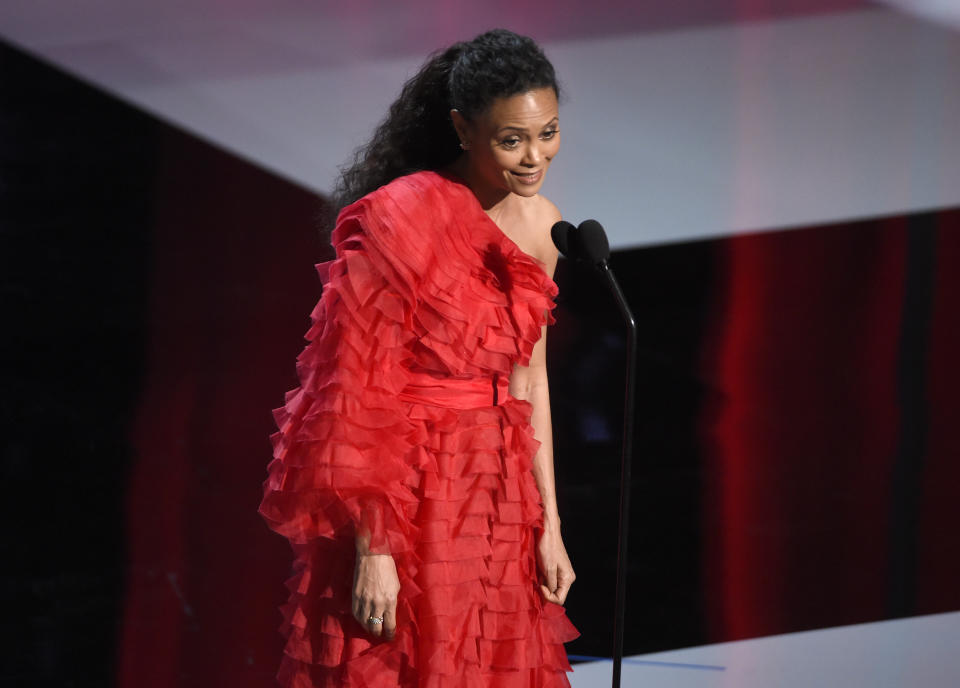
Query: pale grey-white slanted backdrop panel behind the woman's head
x=673, y=128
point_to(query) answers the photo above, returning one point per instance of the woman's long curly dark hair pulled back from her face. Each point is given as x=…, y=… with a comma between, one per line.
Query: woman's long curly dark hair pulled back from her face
x=417, y=133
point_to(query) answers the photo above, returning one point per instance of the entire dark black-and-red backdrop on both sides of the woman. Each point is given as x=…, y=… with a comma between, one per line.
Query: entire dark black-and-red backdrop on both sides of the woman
x=797, y=462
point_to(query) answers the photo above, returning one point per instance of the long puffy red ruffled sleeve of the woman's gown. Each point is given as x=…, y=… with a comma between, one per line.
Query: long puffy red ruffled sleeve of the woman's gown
x=338, y=463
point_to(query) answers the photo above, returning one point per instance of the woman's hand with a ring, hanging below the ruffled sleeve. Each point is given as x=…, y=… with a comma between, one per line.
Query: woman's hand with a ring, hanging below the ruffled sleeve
x=375, y=589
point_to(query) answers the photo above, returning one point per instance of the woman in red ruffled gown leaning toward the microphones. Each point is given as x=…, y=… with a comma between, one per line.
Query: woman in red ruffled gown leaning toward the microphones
x=413, y=468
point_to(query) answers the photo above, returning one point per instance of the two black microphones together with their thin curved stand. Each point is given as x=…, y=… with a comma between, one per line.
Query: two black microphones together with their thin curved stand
x=588, y=242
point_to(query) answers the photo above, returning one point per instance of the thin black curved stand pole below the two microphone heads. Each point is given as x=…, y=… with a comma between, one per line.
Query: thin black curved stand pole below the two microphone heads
x=626, y=459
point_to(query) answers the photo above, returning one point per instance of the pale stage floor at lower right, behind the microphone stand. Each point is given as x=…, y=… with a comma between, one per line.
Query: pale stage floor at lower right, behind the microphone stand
x=920, y=652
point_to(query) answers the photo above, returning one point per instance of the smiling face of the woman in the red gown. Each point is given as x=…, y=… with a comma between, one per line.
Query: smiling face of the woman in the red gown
x=512, y=143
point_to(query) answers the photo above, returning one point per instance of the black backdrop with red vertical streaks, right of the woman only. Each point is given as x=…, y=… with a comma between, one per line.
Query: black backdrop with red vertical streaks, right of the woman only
x=793, y=461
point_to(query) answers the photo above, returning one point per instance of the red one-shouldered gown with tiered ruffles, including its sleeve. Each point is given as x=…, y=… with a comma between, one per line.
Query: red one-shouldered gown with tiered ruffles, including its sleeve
x=403, y=425
